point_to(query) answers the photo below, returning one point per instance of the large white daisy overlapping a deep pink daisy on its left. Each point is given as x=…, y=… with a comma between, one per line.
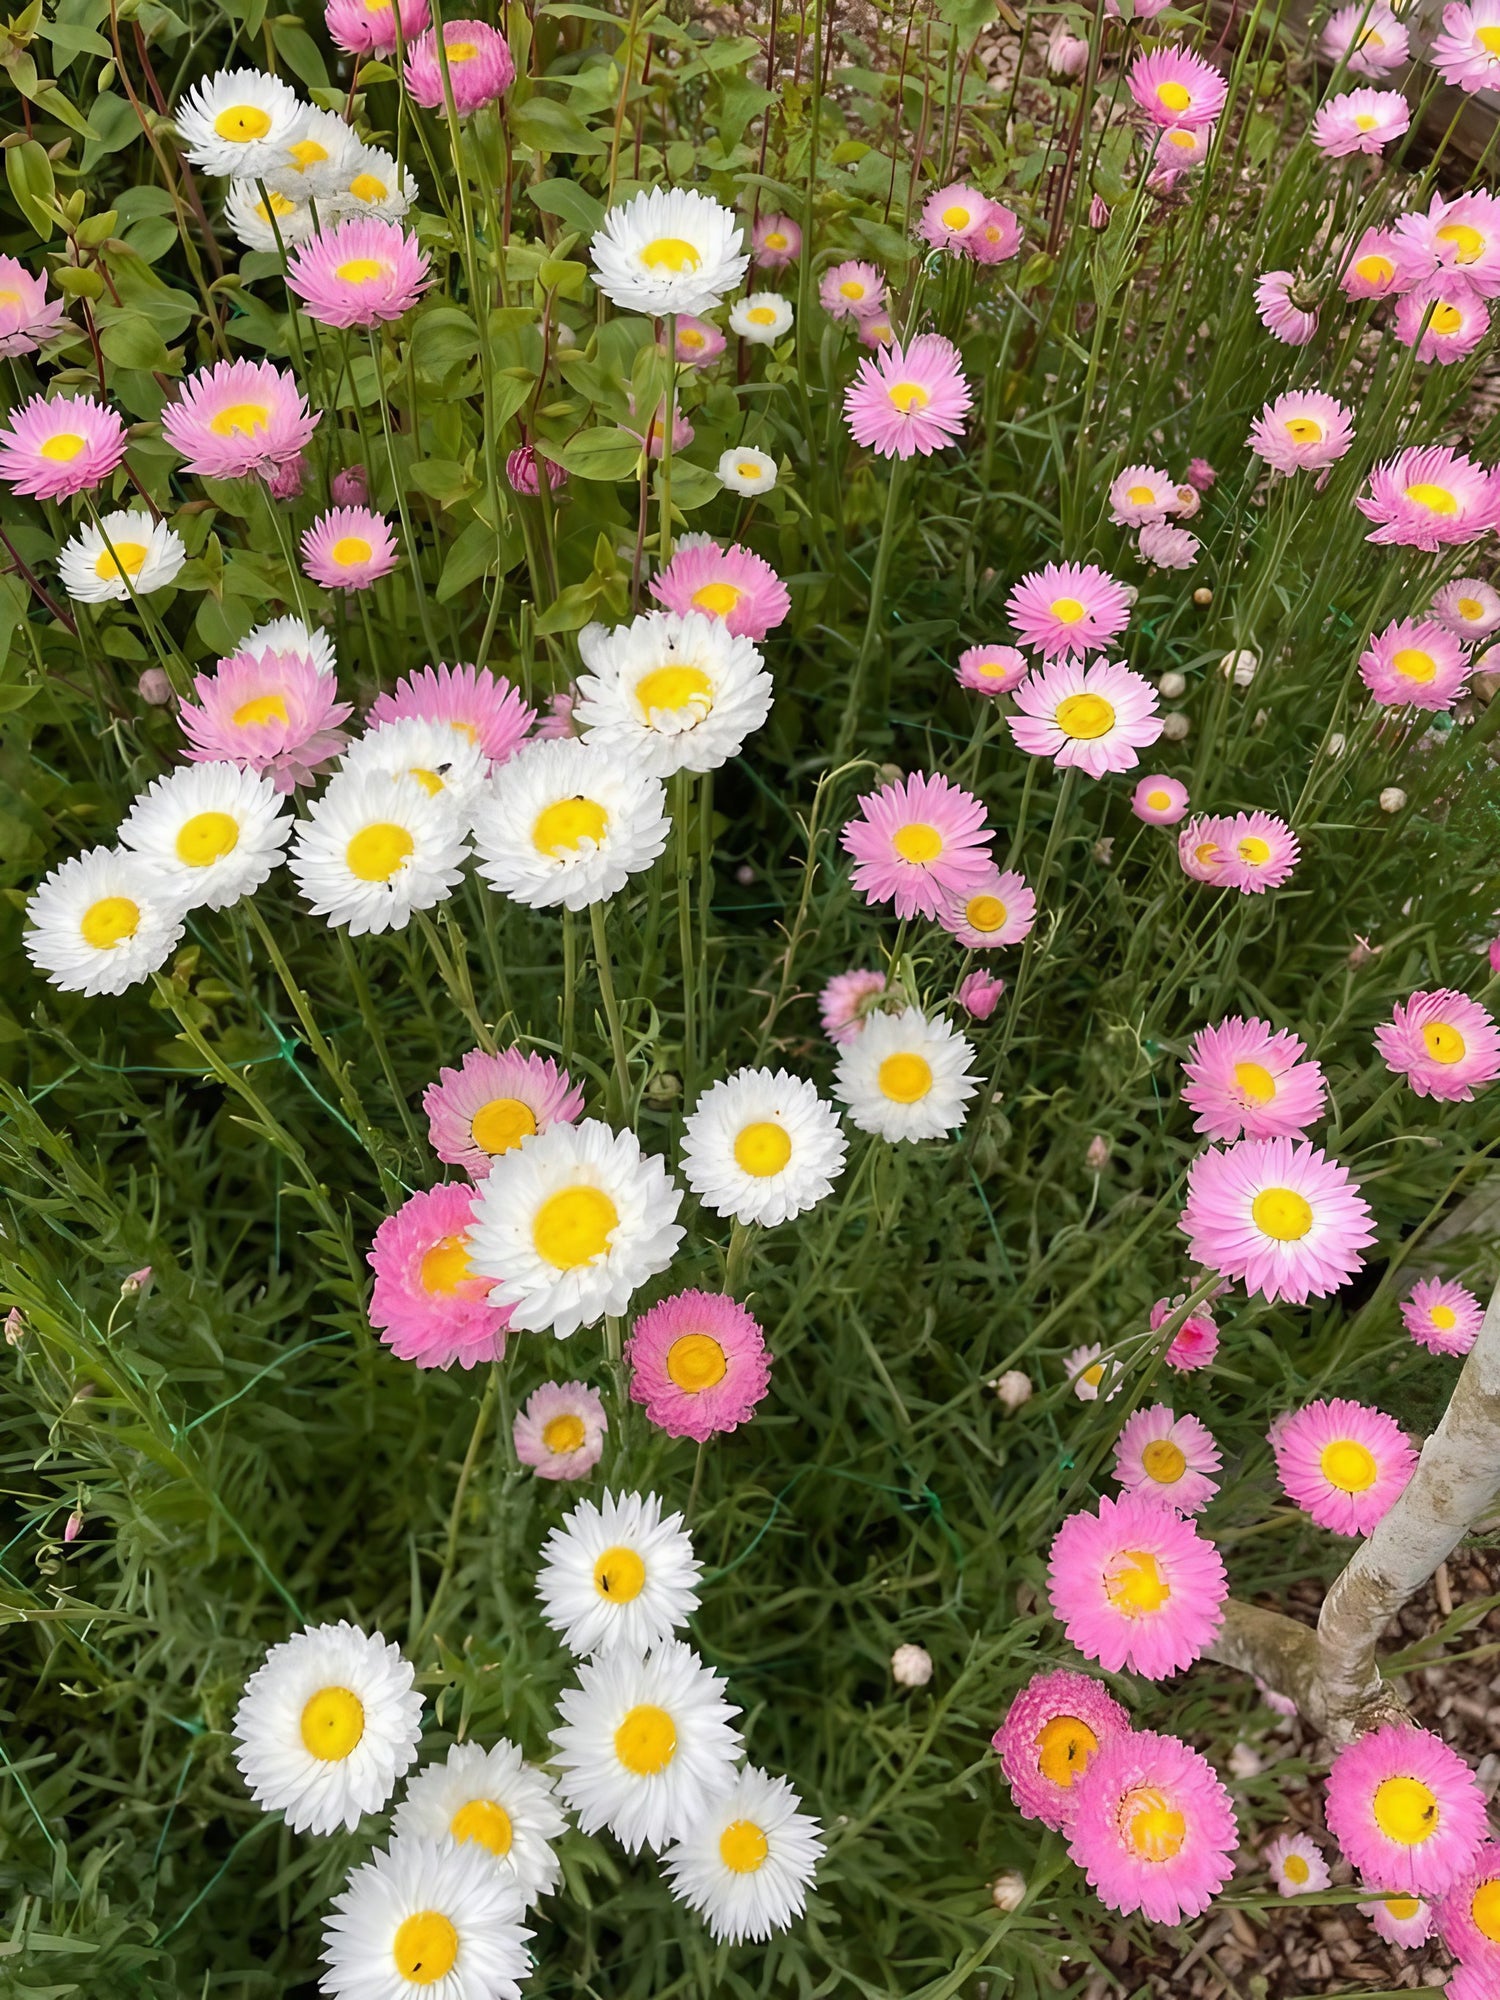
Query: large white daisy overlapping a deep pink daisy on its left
x=571, y=1223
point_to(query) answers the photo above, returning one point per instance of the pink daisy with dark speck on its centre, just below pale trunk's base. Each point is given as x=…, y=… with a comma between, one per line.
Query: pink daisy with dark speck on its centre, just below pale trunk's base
x=1405, y=1809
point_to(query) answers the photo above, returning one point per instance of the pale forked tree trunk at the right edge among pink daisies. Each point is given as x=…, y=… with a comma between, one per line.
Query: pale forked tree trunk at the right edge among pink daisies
x=1331, y=1673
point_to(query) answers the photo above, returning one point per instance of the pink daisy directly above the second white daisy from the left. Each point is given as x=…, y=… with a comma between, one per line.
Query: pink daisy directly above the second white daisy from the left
x=267, y=711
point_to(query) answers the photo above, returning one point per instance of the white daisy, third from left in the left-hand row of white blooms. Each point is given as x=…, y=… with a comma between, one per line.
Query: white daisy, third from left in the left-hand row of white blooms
x=375, y=849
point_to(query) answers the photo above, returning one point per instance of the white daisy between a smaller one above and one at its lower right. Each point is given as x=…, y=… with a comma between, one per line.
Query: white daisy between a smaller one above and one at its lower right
x=643, y=1743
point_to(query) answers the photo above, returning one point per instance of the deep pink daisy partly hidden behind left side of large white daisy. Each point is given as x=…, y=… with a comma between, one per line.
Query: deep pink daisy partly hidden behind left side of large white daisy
x=429, y=1305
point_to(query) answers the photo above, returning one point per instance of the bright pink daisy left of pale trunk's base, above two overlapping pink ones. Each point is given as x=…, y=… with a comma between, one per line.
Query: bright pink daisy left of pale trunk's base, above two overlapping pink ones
x=1137, y=1587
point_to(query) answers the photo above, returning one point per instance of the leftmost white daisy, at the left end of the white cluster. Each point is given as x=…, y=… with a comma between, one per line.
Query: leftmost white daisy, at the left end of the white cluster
x=103, y=923
